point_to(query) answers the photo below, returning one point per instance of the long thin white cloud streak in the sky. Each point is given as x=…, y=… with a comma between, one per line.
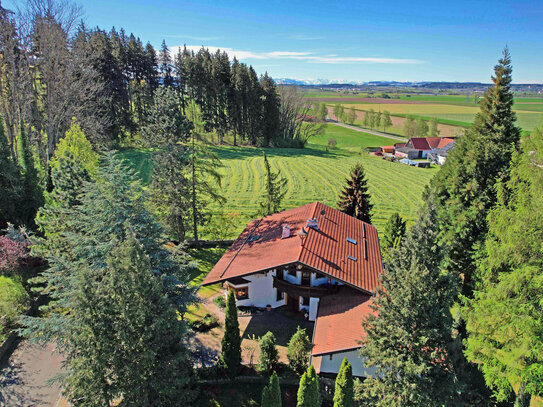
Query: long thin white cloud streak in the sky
x=300, y=56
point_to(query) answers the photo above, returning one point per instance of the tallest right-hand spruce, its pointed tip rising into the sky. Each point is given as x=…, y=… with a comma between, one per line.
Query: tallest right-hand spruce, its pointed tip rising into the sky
x=464, y=188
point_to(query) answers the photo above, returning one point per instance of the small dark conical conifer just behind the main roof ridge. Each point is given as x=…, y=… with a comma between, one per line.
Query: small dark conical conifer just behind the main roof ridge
x=355, y=199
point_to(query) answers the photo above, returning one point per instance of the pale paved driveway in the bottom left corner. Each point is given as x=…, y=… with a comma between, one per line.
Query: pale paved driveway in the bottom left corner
x=24, y=377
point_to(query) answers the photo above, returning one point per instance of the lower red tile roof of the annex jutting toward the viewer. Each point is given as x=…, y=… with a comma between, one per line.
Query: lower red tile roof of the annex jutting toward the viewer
x=338, y=326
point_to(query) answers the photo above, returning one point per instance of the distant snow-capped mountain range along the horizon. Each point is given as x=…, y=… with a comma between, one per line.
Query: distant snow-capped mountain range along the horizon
x=338, y=83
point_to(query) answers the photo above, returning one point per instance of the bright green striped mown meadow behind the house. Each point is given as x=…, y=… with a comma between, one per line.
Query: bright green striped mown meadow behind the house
x=313, y=174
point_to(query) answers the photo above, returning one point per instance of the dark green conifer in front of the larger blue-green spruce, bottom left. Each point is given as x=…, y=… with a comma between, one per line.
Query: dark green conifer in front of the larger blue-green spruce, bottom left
x=129, y=333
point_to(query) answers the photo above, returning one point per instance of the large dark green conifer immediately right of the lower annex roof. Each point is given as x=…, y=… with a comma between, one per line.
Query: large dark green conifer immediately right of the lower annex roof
x=409, y=340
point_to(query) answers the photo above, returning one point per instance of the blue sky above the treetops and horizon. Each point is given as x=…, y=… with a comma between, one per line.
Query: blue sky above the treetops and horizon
x=347, y=40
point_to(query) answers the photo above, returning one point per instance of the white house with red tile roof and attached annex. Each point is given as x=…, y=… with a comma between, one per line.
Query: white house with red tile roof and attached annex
x=311, y=259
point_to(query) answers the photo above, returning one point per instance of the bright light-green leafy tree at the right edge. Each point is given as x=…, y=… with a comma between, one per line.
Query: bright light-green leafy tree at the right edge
x=504, y=319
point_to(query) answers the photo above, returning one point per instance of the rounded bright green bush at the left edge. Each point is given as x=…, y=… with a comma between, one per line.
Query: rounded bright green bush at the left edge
x=13, y=302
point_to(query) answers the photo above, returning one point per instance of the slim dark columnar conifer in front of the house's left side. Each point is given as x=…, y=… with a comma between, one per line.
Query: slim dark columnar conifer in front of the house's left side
x=231, y=341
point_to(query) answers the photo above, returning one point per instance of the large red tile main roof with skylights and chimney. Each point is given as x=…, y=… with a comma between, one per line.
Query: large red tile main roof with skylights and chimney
x=324, y=250
